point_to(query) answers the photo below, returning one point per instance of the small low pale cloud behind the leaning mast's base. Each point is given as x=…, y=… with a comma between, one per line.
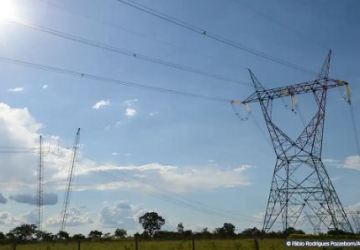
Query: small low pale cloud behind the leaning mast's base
x=74, y=217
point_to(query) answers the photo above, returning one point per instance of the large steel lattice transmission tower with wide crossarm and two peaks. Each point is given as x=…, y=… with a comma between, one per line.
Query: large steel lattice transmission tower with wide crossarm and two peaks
x=300, y=182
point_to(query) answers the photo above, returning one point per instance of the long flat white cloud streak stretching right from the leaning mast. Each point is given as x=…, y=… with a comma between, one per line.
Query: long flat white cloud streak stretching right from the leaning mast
x=155, y=176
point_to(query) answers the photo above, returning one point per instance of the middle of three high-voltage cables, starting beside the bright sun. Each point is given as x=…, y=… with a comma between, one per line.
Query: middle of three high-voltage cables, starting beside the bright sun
x=123, y=51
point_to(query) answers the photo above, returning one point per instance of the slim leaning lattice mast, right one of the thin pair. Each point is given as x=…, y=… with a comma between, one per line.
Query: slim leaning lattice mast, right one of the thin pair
x=69, y=182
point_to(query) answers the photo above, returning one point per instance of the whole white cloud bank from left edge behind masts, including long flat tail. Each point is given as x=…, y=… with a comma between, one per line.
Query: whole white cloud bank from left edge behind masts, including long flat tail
x=19, y=129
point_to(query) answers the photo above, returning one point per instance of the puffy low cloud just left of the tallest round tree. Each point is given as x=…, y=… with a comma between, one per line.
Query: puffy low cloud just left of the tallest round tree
x=121, y=215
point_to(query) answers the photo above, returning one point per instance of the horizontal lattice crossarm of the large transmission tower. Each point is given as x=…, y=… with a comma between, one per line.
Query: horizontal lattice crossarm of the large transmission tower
x=296, y=89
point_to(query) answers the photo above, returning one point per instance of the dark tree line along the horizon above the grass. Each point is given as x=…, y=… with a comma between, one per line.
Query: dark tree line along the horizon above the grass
x=152, y=223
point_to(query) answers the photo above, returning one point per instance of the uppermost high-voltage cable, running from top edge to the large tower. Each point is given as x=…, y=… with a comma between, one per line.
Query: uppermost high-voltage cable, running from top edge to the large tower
x=214, y=36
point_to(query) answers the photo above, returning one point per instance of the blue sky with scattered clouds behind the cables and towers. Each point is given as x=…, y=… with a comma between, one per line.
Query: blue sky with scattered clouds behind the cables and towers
x=189, y=159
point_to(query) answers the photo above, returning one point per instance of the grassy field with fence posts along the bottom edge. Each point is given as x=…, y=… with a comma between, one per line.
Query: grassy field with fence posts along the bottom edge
x=236, y=244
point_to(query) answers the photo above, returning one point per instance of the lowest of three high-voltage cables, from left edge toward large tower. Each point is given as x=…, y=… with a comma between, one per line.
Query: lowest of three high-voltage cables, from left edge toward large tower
x=106, y=79
